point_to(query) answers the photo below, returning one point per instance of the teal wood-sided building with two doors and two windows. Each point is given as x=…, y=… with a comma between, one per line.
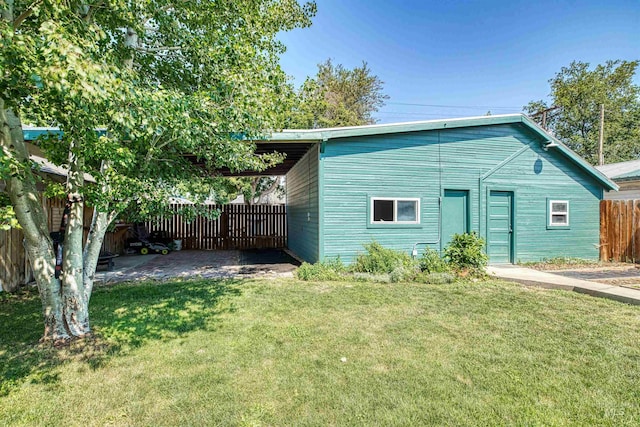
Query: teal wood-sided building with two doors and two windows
x=413, y=185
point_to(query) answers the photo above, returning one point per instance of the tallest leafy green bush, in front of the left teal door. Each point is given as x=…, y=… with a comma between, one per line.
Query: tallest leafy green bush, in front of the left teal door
x=465, y=253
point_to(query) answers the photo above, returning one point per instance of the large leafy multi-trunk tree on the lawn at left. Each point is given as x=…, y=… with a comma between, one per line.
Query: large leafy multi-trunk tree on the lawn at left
x=164, y=80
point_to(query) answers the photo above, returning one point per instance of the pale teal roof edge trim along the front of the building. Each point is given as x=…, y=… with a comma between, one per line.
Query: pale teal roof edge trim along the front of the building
x=321, y=135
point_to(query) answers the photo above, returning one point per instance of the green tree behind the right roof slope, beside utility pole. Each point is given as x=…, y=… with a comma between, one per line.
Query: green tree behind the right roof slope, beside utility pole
x=578, y=92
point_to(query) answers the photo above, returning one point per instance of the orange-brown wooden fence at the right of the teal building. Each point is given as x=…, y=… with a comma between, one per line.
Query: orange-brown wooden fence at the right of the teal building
x=620, y=230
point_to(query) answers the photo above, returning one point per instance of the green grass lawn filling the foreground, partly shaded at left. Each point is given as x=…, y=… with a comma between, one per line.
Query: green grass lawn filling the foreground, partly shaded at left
x=286, y=352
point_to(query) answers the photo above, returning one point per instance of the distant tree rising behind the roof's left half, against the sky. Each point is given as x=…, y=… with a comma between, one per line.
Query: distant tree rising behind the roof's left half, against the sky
x=337, y=96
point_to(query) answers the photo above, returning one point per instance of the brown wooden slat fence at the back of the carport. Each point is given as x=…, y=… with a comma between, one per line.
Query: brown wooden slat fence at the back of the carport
x=236, y=227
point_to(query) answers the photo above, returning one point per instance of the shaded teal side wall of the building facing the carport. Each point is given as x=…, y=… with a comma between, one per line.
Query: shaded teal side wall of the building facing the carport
x=302, y=207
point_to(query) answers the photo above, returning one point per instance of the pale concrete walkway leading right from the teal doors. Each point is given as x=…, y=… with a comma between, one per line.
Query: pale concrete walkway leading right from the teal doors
x=528, y=276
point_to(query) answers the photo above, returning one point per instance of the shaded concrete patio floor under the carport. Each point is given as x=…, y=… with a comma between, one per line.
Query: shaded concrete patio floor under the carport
x=189, y=264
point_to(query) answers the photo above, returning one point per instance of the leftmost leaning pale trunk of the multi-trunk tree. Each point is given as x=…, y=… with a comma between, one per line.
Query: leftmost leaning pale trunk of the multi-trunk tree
x=26, y=202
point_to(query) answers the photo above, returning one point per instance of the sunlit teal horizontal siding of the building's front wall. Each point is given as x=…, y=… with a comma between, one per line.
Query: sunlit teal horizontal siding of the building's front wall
x=477, y=159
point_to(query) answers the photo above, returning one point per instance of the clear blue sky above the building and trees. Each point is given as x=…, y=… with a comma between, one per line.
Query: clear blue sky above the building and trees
x=446, y=55
